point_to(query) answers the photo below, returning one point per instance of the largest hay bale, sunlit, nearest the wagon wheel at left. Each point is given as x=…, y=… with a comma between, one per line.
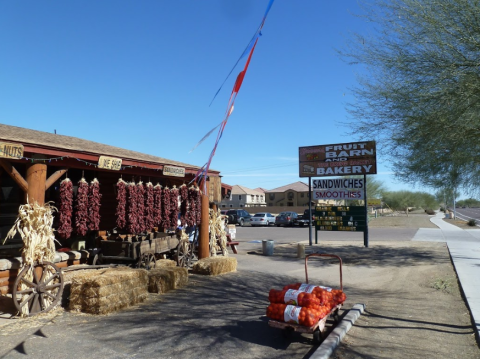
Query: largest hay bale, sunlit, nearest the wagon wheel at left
x=108, y=290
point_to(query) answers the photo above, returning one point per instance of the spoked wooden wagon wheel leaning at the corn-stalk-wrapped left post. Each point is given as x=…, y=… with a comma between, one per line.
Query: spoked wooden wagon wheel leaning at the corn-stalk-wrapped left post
x=42, y=292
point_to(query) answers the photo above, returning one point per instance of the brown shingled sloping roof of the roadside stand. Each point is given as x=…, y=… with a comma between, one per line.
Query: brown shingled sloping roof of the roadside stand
x=43, y=140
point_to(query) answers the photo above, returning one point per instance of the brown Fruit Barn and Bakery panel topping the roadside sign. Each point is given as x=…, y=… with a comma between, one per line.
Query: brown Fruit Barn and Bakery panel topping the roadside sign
x=344, y=159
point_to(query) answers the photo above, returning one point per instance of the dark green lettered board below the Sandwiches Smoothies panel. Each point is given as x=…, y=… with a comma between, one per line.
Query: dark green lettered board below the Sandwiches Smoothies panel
x=340, y=218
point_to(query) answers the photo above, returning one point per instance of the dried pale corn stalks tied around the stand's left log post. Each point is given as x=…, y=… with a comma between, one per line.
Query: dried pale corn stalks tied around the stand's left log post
x=34, y=223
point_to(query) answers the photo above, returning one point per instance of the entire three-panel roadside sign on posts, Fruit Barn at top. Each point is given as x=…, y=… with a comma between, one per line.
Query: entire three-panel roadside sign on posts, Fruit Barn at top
x=344, y=159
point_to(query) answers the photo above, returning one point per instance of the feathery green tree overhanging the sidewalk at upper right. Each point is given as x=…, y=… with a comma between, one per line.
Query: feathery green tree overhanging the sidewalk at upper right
x=419, y=92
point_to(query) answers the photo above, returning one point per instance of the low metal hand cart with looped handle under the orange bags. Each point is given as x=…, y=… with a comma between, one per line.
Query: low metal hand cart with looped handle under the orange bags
x=318, y=330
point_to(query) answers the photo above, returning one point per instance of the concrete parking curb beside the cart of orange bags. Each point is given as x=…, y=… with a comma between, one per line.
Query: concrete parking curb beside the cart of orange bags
x=328, y=346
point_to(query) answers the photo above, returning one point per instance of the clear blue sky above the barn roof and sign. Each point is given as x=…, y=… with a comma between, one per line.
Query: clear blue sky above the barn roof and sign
x=141, y=75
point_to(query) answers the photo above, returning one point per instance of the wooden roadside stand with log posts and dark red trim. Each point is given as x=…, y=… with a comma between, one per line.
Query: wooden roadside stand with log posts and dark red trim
x=33, y=164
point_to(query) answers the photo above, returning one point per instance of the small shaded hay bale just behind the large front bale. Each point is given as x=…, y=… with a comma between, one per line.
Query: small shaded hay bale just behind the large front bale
x=162, y=280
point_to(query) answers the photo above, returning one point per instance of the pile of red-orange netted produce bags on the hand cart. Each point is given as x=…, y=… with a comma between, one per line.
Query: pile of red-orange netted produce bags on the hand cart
x=303, y=304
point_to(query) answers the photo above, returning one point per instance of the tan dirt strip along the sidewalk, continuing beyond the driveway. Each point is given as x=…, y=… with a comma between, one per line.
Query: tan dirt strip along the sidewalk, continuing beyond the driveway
x=414, y=307
